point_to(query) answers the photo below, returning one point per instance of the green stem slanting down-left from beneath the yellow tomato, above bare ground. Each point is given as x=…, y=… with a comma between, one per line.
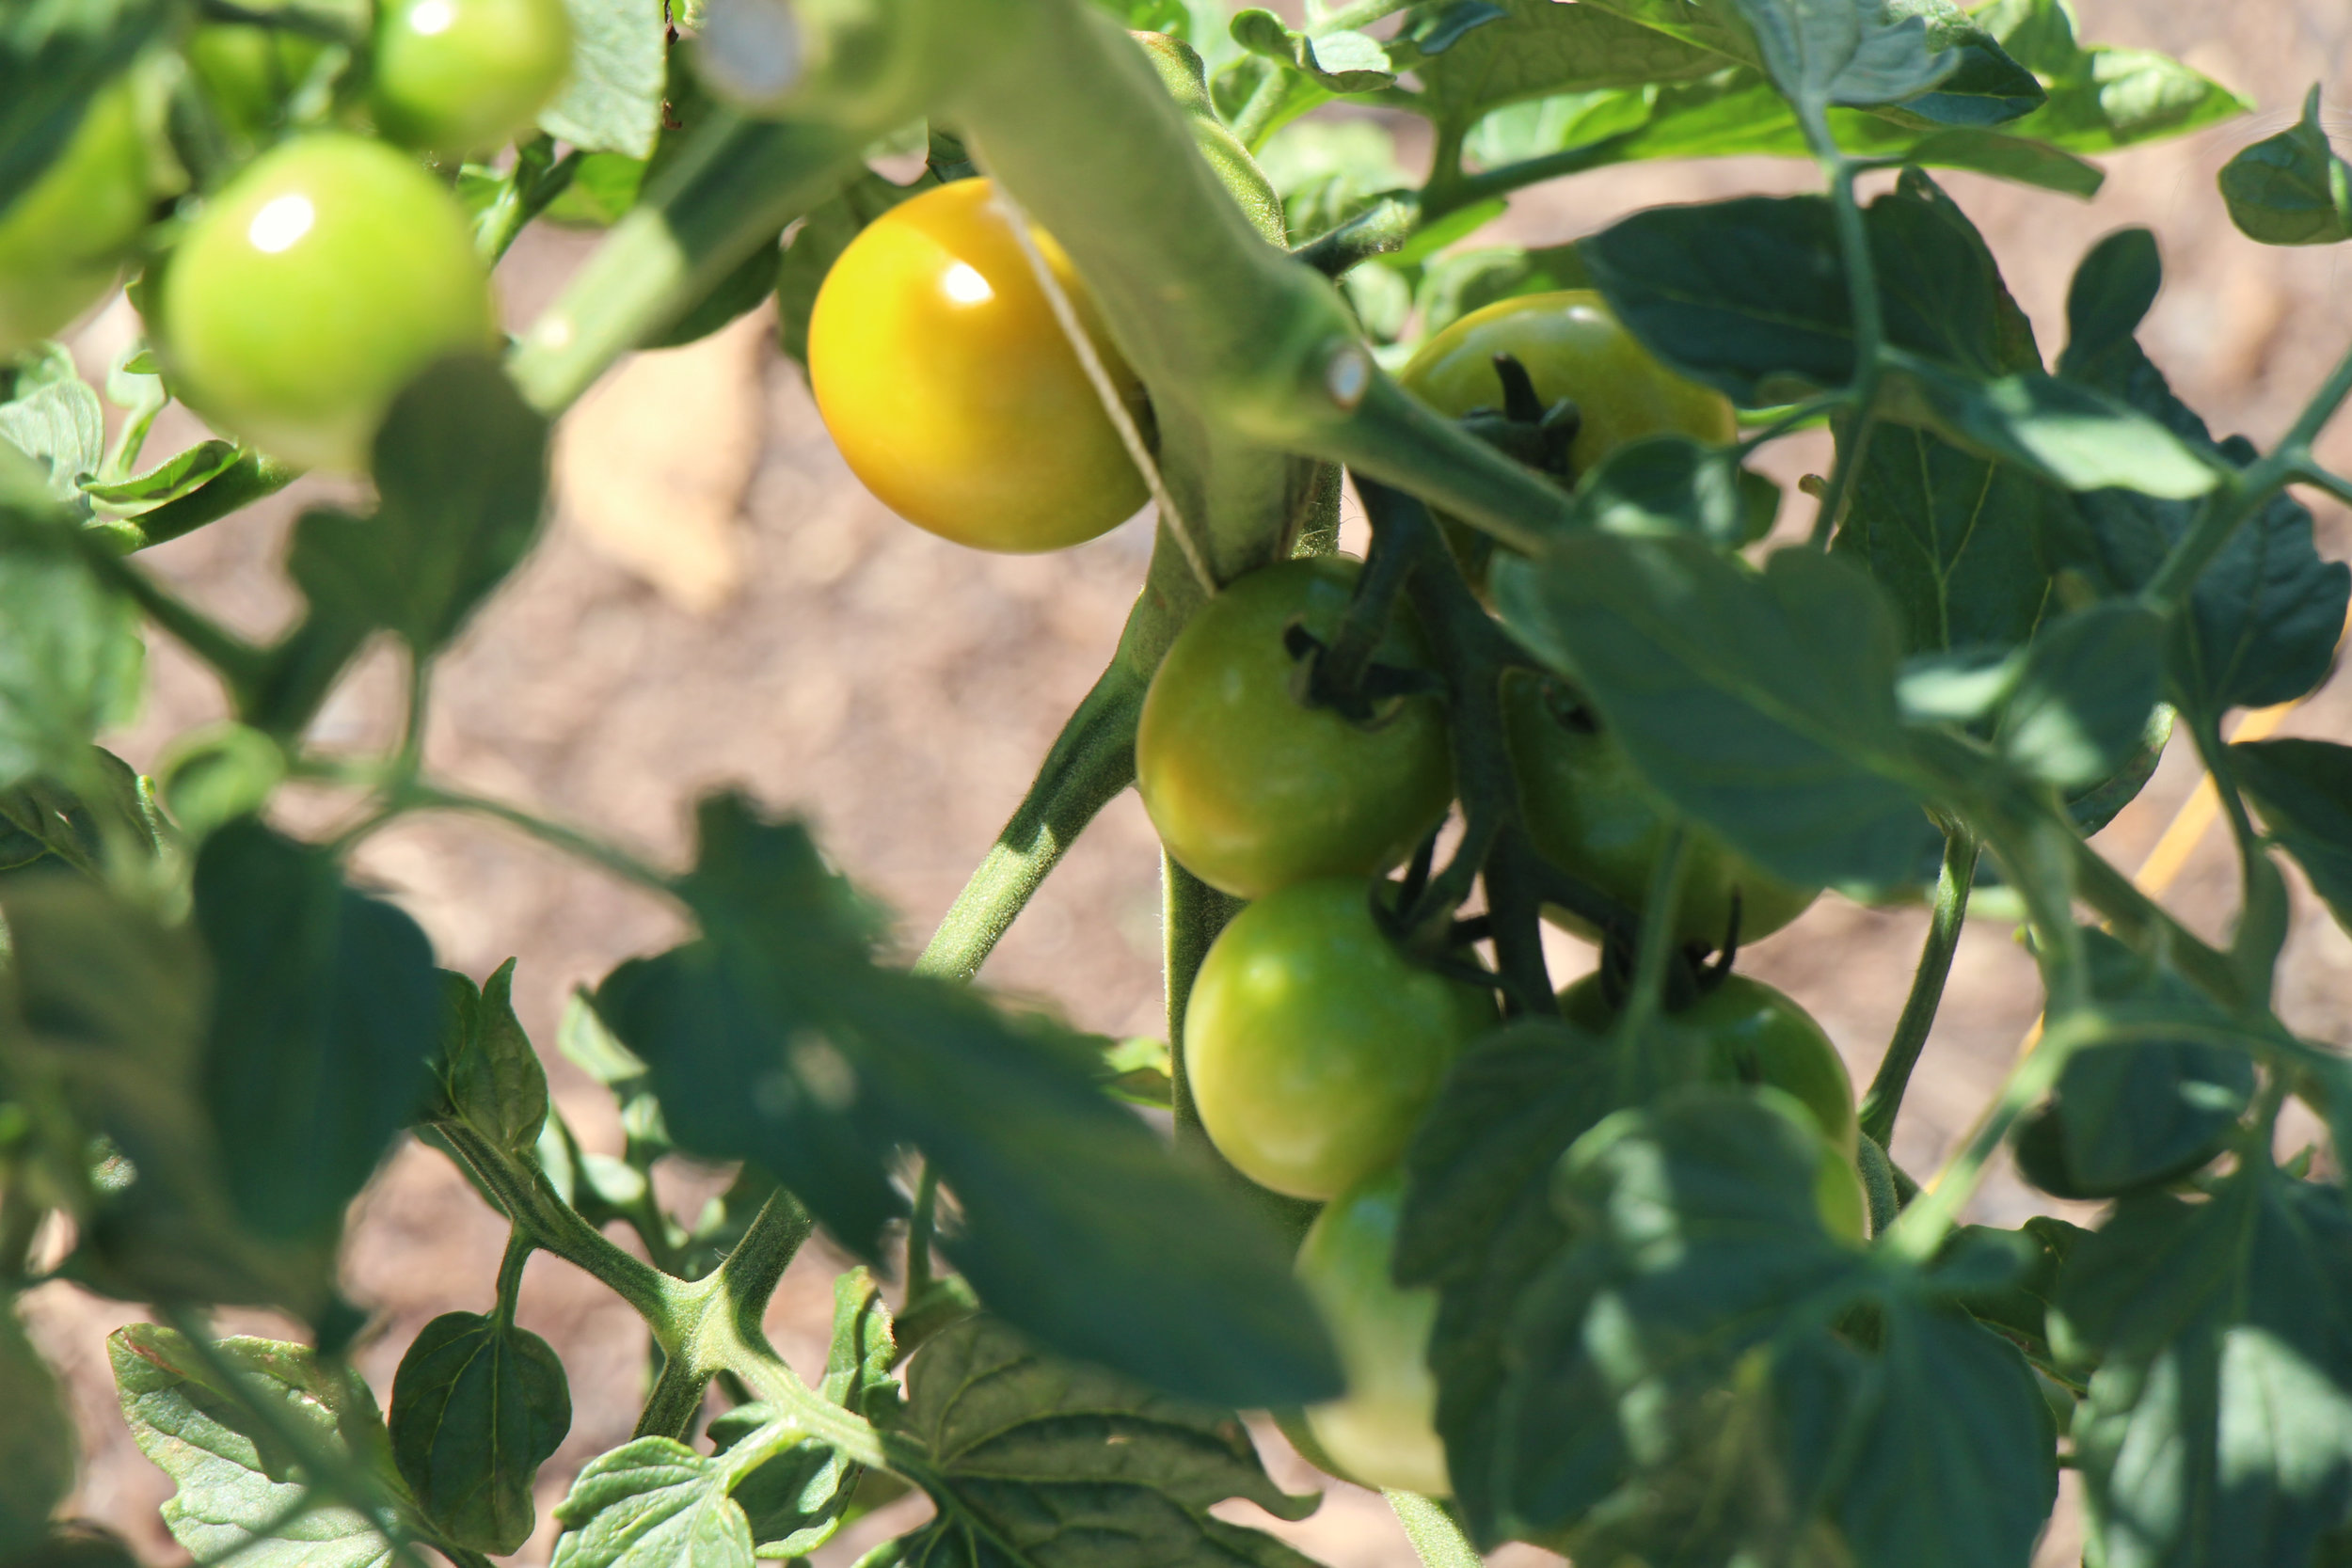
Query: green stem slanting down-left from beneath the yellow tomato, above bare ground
x=1093, y=760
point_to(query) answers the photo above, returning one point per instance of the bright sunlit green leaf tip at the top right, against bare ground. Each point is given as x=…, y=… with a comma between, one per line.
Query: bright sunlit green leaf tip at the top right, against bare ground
x=2102, y=100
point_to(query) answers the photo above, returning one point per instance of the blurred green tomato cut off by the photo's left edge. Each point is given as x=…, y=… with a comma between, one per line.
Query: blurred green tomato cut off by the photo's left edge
x=65, y=239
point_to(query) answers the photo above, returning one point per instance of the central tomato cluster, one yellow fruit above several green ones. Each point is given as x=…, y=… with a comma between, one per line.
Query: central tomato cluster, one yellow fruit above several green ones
x=1314, y=1045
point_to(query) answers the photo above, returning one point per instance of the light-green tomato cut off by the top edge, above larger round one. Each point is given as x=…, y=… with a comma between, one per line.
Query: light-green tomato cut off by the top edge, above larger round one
x=465, y=76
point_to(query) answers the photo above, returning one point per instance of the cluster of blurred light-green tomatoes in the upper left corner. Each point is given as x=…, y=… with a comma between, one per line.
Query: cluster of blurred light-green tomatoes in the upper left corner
x=333, y=262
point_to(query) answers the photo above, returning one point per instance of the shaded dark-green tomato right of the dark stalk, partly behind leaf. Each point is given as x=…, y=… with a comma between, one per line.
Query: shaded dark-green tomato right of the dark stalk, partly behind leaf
x=1591, y=815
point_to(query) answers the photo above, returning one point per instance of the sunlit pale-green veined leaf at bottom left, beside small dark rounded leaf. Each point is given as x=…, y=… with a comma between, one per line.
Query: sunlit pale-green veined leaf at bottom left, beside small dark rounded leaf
x=236, y=1482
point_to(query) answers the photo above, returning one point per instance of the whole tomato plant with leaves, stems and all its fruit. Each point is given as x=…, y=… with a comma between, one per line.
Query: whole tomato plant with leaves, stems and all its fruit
x=1636, y=1282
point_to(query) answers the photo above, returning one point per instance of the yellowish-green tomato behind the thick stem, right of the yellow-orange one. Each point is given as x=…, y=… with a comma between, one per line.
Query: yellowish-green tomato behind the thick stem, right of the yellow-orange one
x=1572, y=347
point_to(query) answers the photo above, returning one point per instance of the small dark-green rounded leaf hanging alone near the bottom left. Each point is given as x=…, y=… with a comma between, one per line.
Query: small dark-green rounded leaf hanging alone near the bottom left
x=479, y=1407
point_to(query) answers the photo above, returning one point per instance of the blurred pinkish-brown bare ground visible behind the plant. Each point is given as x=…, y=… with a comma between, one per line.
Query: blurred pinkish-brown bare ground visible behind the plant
x=719, y=603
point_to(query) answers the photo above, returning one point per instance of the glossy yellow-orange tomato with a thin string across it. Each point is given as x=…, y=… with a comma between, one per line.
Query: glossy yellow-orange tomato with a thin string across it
x=951, y=389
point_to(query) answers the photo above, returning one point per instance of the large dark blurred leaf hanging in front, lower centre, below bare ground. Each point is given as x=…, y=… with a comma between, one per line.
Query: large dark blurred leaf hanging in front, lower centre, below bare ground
x=777, y=1038
